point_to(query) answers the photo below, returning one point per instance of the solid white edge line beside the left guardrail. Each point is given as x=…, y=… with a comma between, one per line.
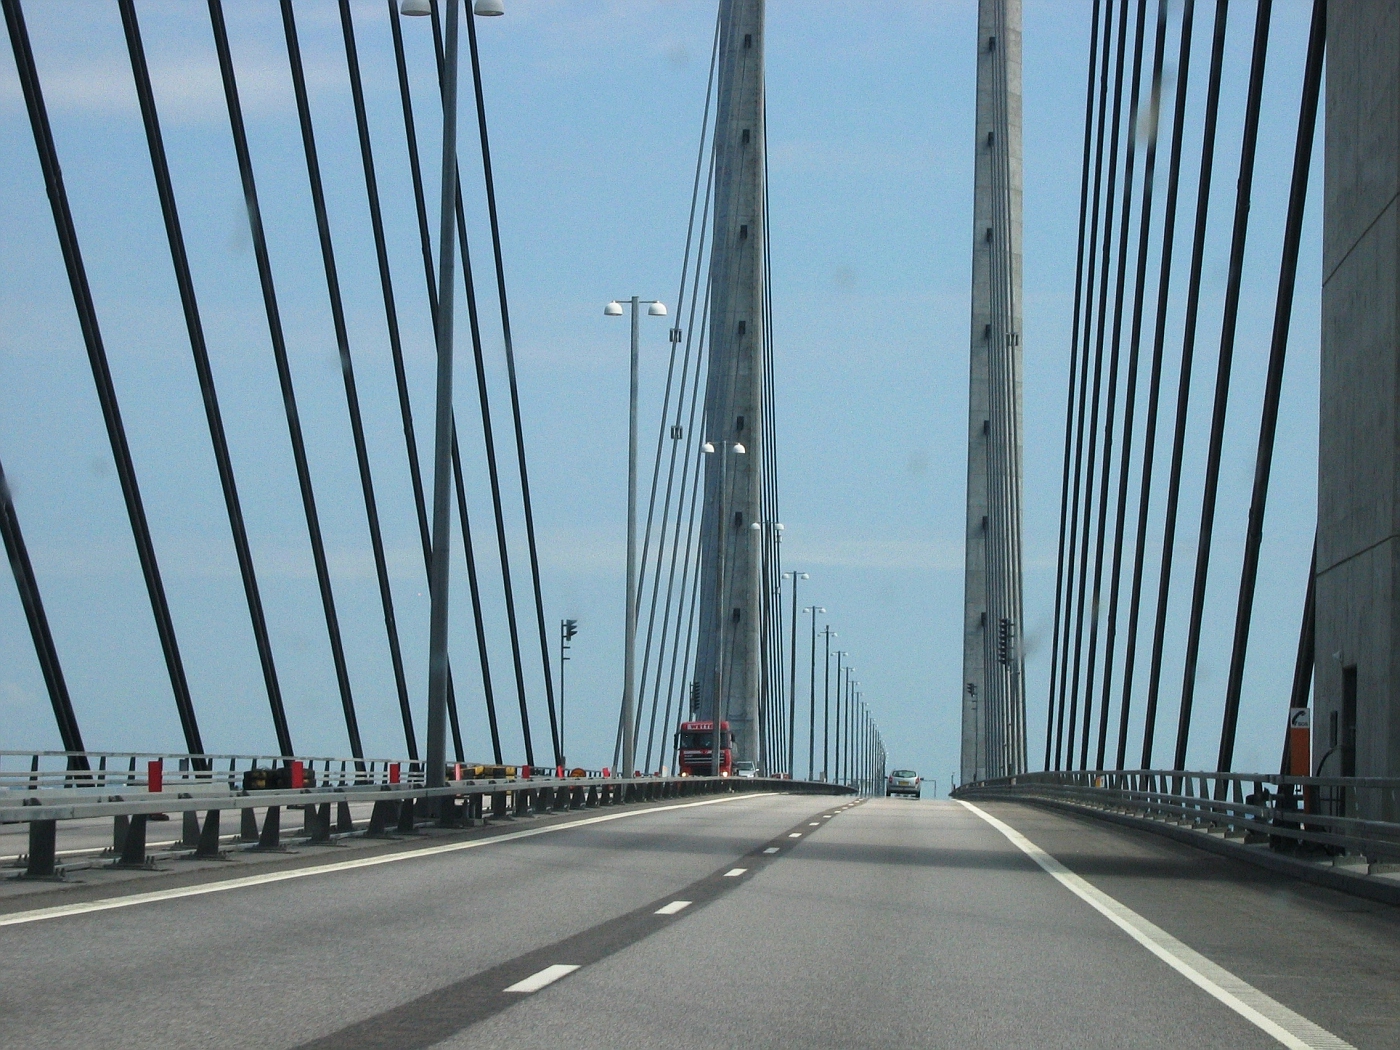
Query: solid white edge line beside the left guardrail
x=134, y=899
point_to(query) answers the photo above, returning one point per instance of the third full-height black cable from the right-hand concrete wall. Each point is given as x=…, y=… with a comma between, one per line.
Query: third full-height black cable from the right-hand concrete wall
x=1184, y=394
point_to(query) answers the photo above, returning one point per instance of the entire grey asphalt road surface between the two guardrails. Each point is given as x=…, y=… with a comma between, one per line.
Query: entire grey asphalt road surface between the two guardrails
x=888, y=923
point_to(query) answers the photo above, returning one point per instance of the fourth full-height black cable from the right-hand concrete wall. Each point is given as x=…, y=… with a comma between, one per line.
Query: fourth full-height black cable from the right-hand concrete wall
x=1184, y=65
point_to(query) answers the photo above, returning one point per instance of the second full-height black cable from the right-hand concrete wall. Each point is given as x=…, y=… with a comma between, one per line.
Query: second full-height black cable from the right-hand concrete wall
x=1223, y=374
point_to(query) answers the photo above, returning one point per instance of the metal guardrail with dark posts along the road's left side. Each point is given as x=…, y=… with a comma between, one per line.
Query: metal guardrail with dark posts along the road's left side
x=68, y=786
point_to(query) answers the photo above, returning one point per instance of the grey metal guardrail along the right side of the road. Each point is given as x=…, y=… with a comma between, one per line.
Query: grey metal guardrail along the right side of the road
x=1308, y=815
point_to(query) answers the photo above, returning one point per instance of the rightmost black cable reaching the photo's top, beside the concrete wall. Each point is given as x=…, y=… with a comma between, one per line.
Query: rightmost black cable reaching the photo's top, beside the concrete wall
x=1275, y=381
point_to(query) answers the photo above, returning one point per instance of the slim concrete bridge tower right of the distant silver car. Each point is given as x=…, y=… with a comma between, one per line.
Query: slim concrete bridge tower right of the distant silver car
x=993, y=694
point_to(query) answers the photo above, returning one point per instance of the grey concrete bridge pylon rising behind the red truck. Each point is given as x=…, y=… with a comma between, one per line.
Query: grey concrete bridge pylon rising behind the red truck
x=729, y=656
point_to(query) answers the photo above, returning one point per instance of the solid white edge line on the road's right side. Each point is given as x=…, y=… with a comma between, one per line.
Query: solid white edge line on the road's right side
x=1263, y=1011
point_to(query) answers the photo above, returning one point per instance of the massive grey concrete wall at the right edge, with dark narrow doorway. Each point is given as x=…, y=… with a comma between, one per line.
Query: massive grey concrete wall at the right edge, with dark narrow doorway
x=1359, y=470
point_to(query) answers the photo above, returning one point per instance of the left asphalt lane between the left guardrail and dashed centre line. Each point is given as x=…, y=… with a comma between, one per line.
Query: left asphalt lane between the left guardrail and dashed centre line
x=278, y=965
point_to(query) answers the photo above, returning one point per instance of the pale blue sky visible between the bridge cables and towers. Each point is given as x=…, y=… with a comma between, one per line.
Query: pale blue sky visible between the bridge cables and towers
x=596, y=114
